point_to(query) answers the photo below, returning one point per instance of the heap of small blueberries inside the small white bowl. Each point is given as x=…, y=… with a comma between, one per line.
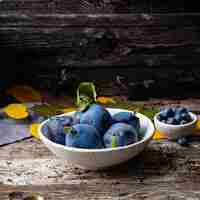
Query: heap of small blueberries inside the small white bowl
x=175, y=116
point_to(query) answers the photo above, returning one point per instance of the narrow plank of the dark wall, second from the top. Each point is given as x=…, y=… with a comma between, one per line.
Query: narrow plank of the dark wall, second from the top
x=97, y=20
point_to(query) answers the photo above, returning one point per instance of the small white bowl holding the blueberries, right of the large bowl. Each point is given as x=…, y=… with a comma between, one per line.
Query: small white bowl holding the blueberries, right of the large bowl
x=174, y=132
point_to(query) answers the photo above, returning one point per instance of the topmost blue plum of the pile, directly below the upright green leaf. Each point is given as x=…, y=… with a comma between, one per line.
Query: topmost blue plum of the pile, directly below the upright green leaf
x=97, y=116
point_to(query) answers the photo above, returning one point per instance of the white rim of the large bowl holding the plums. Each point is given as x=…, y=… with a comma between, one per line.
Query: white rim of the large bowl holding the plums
x=74, y=149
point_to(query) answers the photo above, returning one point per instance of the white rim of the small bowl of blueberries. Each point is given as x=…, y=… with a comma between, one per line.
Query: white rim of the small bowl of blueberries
x=194, y=116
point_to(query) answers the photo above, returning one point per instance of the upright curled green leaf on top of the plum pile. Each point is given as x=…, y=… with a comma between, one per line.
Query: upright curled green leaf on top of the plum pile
x=86, y=95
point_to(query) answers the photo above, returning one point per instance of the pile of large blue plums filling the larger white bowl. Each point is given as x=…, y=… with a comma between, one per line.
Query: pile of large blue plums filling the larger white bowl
x=93, y=128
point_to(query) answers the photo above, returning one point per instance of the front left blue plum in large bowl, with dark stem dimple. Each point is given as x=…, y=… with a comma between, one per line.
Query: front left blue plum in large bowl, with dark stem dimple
x=83, y=136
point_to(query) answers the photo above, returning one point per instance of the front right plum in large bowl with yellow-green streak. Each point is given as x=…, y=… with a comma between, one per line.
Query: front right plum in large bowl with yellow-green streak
x=120, y=134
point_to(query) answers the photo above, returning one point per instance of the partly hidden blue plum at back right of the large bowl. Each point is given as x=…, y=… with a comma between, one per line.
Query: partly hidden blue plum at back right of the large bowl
x=128, y=118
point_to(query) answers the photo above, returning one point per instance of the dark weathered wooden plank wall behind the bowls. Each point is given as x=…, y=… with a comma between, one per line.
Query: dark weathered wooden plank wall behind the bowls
x=150, y=45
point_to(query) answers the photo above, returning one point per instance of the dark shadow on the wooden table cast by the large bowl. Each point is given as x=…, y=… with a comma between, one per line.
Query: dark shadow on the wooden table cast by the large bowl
x=150, y=162
